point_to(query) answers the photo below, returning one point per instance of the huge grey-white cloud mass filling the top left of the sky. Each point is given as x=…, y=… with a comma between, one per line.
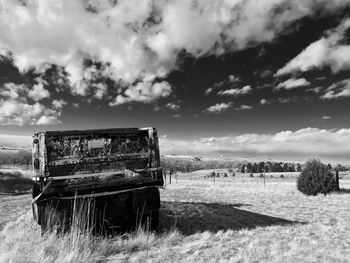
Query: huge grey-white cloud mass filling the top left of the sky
x=130, y=42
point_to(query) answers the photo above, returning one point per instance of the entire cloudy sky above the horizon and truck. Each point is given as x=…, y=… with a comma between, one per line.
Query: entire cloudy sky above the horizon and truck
x=252, y=78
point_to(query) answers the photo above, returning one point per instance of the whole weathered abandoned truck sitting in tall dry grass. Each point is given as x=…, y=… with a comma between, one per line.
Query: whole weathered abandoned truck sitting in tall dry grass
x=117, y=170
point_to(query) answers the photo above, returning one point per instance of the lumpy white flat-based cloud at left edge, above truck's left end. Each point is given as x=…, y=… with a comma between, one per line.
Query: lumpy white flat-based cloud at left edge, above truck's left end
x=16, y=109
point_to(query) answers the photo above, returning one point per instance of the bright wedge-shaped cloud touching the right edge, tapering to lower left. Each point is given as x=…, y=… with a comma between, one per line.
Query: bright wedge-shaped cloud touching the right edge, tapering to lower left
x=327, y=51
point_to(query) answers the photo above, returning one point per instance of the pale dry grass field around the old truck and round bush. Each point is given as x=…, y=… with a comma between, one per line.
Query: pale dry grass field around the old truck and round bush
x=235, y=219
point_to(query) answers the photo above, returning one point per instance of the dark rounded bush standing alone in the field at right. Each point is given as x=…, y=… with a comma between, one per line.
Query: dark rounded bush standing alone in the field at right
x=315, y=178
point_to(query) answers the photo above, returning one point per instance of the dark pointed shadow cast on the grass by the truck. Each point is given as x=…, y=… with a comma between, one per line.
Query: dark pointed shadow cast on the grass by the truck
x=190, y=218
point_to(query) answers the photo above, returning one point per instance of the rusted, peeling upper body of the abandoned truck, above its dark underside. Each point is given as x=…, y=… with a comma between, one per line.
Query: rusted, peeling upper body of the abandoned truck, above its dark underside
x=98, y=160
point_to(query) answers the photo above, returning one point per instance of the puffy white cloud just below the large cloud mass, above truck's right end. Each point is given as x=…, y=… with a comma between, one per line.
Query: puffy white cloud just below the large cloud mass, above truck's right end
x=145, y=92
